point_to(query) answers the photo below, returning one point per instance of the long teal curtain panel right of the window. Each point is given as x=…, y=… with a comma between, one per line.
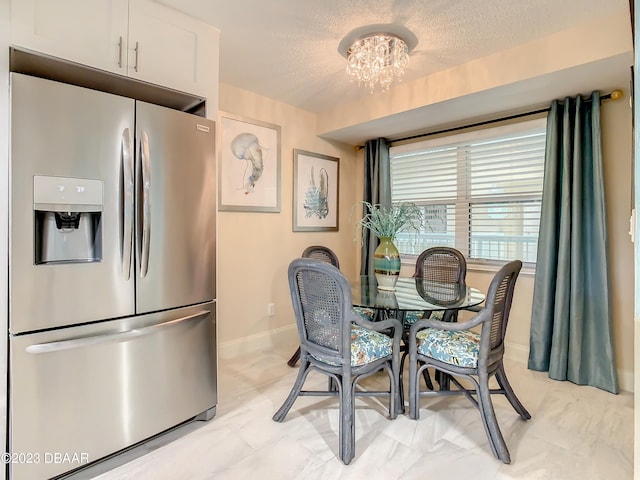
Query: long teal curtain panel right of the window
x=571, y=321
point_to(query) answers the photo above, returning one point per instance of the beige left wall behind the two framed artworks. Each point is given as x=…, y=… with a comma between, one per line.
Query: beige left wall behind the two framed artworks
x=254, y=249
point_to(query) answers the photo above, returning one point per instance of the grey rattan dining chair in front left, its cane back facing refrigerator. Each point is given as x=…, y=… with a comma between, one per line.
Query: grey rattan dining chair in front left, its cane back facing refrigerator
x=337, y=342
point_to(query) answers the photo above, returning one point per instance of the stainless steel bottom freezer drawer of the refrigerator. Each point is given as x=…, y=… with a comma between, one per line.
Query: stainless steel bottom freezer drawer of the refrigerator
x=89, y=391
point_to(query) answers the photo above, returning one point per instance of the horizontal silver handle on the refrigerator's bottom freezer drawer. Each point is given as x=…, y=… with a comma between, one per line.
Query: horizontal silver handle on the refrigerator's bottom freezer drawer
x=81, y=342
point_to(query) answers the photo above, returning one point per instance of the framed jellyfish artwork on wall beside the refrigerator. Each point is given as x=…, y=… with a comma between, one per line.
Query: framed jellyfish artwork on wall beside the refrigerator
x=249, y=168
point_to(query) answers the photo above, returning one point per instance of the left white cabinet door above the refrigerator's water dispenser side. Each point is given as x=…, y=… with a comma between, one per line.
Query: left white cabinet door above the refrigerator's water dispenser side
x=89, y=32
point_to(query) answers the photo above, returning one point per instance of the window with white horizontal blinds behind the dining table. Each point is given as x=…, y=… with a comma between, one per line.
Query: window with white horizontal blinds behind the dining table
x=480, y=191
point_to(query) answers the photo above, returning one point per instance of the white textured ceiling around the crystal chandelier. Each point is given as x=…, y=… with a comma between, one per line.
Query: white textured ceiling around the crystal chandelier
x=287, y=49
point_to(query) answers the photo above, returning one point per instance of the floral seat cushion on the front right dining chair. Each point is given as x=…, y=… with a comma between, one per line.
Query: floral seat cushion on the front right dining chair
x=455, y=348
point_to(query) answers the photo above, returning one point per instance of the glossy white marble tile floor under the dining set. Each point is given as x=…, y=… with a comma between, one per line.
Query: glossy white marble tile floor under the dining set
x=575, y=433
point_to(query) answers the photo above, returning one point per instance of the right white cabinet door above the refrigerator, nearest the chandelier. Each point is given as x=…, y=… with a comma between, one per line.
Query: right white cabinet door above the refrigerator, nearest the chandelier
x=169, y=48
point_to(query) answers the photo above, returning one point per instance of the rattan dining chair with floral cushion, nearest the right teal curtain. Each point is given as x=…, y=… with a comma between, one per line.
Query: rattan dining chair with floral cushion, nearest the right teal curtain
x=457, y=350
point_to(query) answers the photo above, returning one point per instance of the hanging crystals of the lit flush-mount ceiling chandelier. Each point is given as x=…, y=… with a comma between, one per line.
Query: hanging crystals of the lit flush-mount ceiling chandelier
x=377, y=58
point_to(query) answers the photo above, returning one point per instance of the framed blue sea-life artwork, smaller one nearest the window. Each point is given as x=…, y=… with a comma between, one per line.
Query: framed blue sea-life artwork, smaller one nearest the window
x=315, y=192
